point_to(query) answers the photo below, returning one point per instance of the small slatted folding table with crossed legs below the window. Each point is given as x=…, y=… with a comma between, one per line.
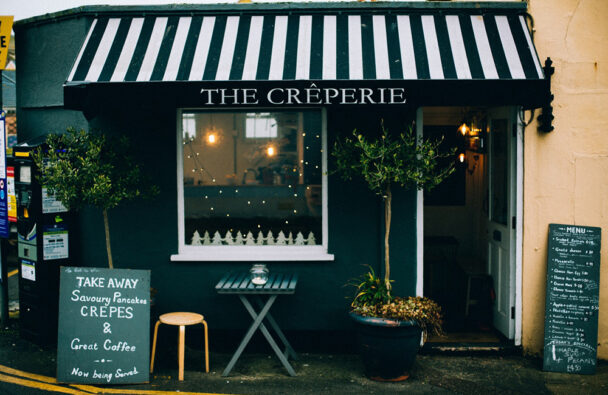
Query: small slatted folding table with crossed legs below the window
x=278, y=284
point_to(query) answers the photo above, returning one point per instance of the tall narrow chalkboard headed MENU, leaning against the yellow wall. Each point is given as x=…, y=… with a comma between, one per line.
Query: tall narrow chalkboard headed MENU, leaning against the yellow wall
x=571, y=311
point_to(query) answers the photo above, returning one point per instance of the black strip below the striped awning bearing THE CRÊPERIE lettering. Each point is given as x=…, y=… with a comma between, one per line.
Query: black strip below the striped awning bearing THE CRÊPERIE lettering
x=180, y=94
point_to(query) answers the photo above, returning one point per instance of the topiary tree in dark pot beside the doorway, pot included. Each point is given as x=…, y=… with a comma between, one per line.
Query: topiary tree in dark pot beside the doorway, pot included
x=390, y=327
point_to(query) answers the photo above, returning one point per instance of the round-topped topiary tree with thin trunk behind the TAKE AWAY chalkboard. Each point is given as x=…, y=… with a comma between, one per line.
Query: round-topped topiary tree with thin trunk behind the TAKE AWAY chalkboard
x=88, y=169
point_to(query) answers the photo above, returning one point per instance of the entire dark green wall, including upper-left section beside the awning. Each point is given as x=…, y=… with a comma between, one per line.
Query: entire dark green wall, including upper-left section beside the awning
x=144, y=233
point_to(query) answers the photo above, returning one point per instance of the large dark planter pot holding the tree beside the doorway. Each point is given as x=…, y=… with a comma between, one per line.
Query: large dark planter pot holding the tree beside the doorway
x=388, y=347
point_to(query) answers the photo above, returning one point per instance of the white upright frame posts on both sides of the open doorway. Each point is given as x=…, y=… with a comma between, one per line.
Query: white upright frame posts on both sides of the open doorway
x=518, y=242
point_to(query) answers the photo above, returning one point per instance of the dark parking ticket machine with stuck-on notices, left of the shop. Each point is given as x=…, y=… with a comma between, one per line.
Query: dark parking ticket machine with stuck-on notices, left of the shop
x=43, y=226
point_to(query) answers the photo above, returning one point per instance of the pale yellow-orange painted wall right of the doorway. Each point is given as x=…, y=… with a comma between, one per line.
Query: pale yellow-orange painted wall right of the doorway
x=566, y=171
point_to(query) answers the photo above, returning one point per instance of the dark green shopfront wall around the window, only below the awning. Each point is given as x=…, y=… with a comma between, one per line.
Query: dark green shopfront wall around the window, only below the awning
x=144, y=233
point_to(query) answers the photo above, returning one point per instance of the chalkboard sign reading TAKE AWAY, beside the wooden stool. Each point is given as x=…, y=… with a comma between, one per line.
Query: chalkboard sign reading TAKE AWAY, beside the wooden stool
x=104, y=326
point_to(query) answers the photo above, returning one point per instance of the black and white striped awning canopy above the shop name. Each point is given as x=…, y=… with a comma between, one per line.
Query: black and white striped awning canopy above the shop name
x=338, y=46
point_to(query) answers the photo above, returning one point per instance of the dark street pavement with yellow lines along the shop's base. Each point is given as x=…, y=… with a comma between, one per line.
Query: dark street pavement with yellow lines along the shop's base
x=26, y=368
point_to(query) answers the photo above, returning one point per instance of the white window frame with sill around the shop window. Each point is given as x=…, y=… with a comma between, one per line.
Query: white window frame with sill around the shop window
x=227, y=253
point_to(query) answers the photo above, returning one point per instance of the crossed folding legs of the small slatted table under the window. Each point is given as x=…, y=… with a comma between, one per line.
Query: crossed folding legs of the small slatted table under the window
x=258, y=319
